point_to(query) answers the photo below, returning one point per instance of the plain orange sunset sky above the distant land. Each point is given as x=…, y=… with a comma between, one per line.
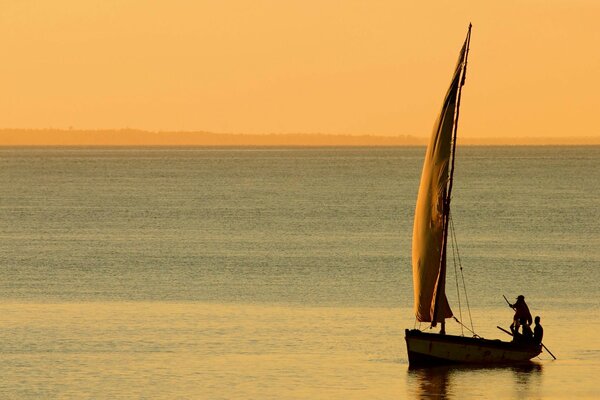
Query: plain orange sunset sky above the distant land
x=299, y=66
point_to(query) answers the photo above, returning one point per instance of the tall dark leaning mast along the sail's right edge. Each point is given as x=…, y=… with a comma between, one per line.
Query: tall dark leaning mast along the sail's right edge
x=448, y=193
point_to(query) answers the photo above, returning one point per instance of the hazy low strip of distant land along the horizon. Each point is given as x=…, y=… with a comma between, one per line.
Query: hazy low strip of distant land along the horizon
x=139, y=138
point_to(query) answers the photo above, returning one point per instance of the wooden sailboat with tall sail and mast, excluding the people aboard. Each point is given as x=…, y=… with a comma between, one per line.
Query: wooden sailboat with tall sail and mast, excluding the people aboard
x=429, y=251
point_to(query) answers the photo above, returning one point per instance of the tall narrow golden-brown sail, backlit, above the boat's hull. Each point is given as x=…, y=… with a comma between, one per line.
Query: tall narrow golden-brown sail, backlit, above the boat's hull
x=431, y=213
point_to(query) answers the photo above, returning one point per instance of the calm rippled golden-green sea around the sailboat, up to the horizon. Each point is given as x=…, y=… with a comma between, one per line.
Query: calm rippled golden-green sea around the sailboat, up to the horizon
x=249, y=273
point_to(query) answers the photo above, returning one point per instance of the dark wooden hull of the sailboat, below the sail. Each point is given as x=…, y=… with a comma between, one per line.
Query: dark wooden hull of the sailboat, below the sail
x=430, y=349
